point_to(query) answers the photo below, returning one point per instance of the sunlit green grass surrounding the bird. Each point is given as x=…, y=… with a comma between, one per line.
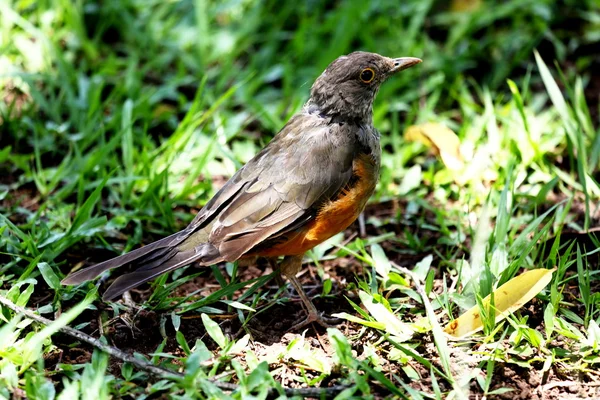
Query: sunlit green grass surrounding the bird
x=118, y=119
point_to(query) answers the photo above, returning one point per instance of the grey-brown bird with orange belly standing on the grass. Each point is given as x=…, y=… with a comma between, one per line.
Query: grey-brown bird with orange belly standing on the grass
x=310, y=182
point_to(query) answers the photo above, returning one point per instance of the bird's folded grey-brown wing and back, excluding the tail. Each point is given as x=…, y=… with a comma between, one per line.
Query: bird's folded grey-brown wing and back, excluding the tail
x=306, y=164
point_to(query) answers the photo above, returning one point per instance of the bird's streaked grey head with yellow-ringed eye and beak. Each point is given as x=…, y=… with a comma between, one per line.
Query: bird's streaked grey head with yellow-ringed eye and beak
x=347, y=88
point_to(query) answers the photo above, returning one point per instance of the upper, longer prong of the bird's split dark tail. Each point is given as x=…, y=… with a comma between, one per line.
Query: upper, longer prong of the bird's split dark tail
x=141, y=256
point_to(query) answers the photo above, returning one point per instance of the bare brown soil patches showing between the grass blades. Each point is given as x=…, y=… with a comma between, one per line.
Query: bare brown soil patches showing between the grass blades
x=138, y=330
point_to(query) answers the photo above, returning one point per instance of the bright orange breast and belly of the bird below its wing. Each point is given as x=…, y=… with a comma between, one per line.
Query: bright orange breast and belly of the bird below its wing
x=334, y=216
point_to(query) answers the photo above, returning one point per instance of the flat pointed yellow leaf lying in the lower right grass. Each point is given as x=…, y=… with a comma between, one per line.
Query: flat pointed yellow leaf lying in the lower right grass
x=507, y=298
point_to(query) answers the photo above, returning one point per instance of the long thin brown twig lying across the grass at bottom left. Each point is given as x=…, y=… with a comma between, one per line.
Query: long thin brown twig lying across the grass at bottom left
x=328, y=392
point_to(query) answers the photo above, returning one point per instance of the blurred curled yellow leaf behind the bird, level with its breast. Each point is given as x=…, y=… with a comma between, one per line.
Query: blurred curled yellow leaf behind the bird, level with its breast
x=440, y=139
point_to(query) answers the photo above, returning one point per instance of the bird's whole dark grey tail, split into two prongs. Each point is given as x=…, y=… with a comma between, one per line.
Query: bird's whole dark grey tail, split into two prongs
x=150, y=261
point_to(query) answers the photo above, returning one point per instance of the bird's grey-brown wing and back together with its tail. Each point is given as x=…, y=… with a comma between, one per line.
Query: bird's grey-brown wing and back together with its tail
x=281, y=188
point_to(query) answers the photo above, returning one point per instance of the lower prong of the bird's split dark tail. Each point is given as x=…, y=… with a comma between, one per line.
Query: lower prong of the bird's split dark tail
x=206, y=254
